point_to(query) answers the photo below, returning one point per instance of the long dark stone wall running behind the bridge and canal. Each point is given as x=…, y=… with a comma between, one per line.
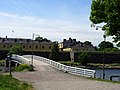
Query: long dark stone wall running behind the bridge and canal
x=95, y=57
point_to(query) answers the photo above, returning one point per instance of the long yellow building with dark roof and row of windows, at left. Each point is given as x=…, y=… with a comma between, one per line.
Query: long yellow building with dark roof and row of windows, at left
x=27, y=44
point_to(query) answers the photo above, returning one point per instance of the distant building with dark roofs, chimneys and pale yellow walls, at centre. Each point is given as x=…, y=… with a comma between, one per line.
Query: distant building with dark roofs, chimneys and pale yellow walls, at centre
x=73, y=45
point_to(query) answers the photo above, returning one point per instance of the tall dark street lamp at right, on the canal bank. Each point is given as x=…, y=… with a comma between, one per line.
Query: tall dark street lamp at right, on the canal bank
x=104, y=36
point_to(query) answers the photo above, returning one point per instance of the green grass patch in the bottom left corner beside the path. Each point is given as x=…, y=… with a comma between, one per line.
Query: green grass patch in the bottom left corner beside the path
x=9, y=83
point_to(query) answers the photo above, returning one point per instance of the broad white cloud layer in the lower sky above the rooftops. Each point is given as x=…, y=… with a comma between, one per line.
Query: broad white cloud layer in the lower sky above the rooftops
x=24, y=26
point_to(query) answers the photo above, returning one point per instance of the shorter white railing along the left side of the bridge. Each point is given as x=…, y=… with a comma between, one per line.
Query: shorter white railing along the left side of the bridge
x=20, y=59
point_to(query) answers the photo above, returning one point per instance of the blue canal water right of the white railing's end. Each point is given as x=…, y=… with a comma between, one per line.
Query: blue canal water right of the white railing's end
x=108, y=73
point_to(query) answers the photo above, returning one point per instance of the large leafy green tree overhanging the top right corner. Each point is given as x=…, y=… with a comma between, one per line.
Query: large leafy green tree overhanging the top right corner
x=108, y=13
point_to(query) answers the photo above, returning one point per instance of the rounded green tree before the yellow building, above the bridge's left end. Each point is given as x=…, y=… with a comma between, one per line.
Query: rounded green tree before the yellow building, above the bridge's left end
x=16, y=49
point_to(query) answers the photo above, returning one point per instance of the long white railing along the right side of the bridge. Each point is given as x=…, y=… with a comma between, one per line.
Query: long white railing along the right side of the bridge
x=65, y=68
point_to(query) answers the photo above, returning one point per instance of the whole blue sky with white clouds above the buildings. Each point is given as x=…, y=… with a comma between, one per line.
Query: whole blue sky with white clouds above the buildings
x=52, y=19
